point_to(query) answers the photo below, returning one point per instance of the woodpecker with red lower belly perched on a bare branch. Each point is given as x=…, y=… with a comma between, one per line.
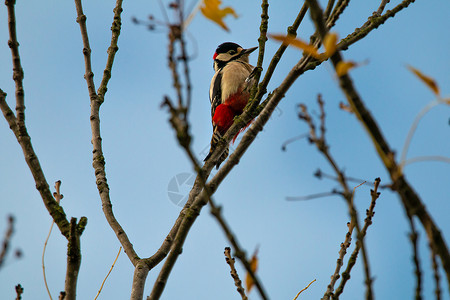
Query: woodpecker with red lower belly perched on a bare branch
x=229, y=90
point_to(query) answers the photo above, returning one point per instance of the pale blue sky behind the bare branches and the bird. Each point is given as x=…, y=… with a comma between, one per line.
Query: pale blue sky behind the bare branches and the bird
x=298, y=240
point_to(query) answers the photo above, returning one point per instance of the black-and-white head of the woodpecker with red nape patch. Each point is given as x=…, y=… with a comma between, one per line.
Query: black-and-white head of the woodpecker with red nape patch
x=227, y=52
